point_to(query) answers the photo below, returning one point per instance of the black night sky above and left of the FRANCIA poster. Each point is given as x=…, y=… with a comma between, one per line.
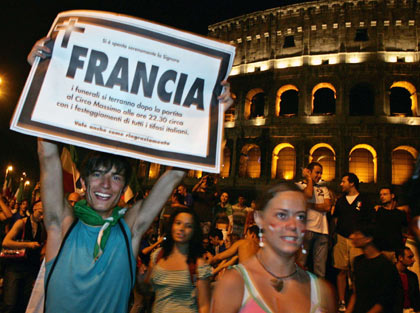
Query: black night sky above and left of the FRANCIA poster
x=24, y=22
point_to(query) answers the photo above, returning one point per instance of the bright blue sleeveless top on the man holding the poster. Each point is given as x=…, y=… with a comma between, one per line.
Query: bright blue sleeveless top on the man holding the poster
x=79, y=284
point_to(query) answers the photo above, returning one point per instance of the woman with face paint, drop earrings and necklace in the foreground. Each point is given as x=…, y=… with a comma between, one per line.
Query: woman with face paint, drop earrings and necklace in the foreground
x=271, y=281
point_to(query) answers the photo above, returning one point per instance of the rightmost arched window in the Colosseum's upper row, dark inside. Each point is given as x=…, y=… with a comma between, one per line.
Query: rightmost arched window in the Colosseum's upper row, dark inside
x=403, y=99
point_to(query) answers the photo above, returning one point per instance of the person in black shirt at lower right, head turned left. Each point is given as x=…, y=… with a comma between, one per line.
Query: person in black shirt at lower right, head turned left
x=377, y=286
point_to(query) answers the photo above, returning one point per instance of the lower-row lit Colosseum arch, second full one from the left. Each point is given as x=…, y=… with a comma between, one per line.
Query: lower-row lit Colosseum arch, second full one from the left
x=283, y=164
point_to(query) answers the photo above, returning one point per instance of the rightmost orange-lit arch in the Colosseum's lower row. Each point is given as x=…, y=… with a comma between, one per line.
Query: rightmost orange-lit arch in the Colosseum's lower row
x=403, y=160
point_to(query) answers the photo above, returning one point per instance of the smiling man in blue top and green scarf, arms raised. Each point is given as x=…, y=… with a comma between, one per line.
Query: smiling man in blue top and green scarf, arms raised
x=90, y=249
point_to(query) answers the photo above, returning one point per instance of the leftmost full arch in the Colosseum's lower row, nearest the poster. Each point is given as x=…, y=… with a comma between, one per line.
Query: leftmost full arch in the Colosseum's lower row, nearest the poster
x=250, y=161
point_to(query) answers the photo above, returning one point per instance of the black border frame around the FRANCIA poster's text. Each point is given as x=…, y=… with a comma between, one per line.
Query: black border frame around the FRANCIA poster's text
x=25, y=121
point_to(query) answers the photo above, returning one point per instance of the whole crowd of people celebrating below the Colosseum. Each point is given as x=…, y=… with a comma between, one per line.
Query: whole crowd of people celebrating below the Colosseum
x=271, y=256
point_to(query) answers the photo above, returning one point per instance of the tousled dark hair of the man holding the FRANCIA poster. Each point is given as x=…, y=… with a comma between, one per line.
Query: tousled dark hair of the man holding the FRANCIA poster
x=95, y=160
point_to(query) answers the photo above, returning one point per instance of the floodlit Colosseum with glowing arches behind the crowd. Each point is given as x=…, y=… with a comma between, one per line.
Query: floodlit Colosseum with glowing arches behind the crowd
x=330, y=81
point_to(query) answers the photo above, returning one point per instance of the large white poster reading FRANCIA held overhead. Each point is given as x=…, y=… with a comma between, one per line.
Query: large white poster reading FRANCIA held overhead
x=131, y=87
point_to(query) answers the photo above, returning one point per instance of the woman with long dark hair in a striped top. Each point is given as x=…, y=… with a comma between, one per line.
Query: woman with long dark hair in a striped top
x=179, y=275
